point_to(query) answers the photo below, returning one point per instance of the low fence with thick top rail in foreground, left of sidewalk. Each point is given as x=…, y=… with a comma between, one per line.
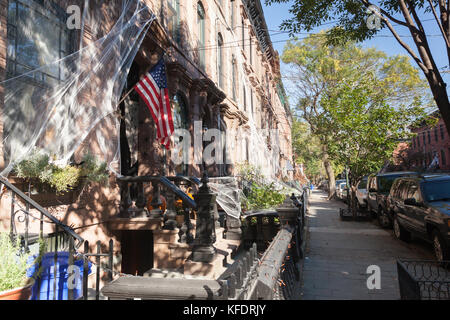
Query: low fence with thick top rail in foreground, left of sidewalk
x=274, y=274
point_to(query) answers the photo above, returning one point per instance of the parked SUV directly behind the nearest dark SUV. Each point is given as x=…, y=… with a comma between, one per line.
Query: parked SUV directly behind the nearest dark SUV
x=378, y=187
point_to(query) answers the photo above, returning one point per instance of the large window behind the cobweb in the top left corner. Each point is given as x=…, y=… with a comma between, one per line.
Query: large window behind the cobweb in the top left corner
x=37, y=35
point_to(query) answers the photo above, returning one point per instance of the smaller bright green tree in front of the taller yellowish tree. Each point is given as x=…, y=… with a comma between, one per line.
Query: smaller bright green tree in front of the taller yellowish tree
x=367, y=130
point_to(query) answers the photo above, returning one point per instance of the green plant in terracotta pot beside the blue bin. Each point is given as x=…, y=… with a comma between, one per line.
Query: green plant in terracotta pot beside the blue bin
x=14, y=283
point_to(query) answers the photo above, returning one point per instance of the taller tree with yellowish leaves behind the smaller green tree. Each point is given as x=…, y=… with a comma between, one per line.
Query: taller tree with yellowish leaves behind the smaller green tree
x=318, y=68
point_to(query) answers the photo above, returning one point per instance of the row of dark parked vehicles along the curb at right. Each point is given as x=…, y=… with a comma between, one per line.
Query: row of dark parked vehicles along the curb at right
x=412, y=204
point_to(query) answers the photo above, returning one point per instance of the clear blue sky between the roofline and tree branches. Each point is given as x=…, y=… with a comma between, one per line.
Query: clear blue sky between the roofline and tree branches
x=384, y=41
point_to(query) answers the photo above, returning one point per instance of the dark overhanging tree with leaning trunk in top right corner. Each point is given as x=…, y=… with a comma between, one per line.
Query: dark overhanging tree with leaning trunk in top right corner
x=351, y=24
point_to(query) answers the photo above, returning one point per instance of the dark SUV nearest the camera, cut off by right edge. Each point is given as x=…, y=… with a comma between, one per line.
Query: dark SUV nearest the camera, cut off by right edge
x=421, y=206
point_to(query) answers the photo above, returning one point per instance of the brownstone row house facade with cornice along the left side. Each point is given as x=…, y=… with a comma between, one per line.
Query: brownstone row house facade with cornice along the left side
x=222, y=70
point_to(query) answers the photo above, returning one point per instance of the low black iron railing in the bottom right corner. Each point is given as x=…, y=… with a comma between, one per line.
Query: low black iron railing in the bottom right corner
x=423, y=280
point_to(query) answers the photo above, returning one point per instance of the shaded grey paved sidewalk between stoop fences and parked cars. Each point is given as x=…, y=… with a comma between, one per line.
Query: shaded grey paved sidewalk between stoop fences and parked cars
x=339, y=252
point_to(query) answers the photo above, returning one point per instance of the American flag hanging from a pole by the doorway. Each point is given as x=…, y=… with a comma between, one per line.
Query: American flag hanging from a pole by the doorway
x=153, y=90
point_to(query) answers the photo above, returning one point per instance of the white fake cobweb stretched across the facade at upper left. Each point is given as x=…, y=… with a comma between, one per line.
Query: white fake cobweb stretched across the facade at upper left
x=65, y=104
